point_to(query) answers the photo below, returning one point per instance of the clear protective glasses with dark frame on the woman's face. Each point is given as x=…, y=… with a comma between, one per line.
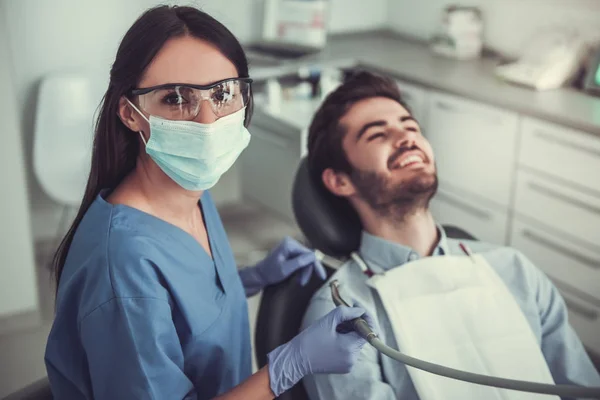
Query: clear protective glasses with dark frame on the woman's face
x=182, y=101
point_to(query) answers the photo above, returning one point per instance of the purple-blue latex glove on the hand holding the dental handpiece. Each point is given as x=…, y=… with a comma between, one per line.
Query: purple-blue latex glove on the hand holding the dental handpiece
x=319, y=349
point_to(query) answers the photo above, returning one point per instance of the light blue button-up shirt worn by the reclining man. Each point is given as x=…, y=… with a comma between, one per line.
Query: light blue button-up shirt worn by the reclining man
x=376, y=377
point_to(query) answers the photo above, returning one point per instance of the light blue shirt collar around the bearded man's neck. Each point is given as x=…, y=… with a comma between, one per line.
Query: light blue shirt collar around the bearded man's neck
x=385, y=254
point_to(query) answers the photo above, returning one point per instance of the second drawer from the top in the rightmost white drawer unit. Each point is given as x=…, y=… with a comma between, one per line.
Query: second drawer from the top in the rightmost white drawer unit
x=561, y=207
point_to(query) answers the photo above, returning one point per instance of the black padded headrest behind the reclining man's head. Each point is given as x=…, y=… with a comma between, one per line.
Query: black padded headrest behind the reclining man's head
x=328, y=222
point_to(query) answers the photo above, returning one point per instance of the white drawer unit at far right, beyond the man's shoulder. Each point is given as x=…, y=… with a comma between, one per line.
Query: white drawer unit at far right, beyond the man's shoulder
x=557, y=217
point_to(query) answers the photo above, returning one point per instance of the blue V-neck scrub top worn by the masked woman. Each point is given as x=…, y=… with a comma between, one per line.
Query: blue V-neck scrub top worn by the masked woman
x=143, y=312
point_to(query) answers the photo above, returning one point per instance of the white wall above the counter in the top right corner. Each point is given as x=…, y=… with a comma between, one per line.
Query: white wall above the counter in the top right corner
x=507, y=22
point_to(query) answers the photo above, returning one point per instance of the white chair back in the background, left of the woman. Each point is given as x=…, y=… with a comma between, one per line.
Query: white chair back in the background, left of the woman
x=63, y=136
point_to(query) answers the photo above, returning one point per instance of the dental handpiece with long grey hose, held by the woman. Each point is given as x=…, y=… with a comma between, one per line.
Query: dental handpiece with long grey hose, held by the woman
x=362, y=328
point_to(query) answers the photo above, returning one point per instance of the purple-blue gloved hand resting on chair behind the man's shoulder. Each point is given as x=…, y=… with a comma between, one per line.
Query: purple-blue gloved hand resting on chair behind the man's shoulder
x=285, y=259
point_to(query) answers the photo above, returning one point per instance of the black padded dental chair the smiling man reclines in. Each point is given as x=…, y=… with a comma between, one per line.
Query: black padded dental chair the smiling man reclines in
x=329, y=225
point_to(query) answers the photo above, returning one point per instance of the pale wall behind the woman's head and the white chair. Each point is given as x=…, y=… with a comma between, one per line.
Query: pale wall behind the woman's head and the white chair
x=46, y=36
